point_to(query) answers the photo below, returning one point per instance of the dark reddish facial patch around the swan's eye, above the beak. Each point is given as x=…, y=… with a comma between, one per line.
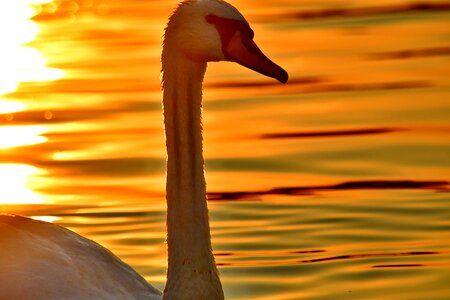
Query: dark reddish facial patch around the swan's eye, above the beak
x=227, y=28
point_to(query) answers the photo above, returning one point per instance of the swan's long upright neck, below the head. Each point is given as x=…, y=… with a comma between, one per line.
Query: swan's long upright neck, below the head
x=192, y=273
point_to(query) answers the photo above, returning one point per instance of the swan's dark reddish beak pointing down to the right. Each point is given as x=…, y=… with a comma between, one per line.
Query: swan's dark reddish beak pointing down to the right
x=245, y=52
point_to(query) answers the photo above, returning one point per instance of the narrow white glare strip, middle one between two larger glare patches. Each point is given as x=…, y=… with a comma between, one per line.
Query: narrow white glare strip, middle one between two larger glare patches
x=14, y=136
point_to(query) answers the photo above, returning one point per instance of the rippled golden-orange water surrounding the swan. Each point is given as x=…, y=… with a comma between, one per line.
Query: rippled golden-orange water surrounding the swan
x=334, y=186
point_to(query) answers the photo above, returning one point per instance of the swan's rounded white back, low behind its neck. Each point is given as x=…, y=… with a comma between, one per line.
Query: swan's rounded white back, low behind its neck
x=40, y=260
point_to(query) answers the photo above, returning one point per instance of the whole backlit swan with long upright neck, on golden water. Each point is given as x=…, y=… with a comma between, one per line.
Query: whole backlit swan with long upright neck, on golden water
x=40, y=260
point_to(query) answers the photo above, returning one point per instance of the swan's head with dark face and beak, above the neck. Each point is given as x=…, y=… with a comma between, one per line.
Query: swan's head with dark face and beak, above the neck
x=214, y=30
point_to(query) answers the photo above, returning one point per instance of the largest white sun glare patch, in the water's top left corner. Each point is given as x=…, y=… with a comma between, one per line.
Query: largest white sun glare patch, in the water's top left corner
x=20, y=63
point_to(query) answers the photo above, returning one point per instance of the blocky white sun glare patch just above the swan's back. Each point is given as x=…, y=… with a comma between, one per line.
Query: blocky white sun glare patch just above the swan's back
x=14, y=180
